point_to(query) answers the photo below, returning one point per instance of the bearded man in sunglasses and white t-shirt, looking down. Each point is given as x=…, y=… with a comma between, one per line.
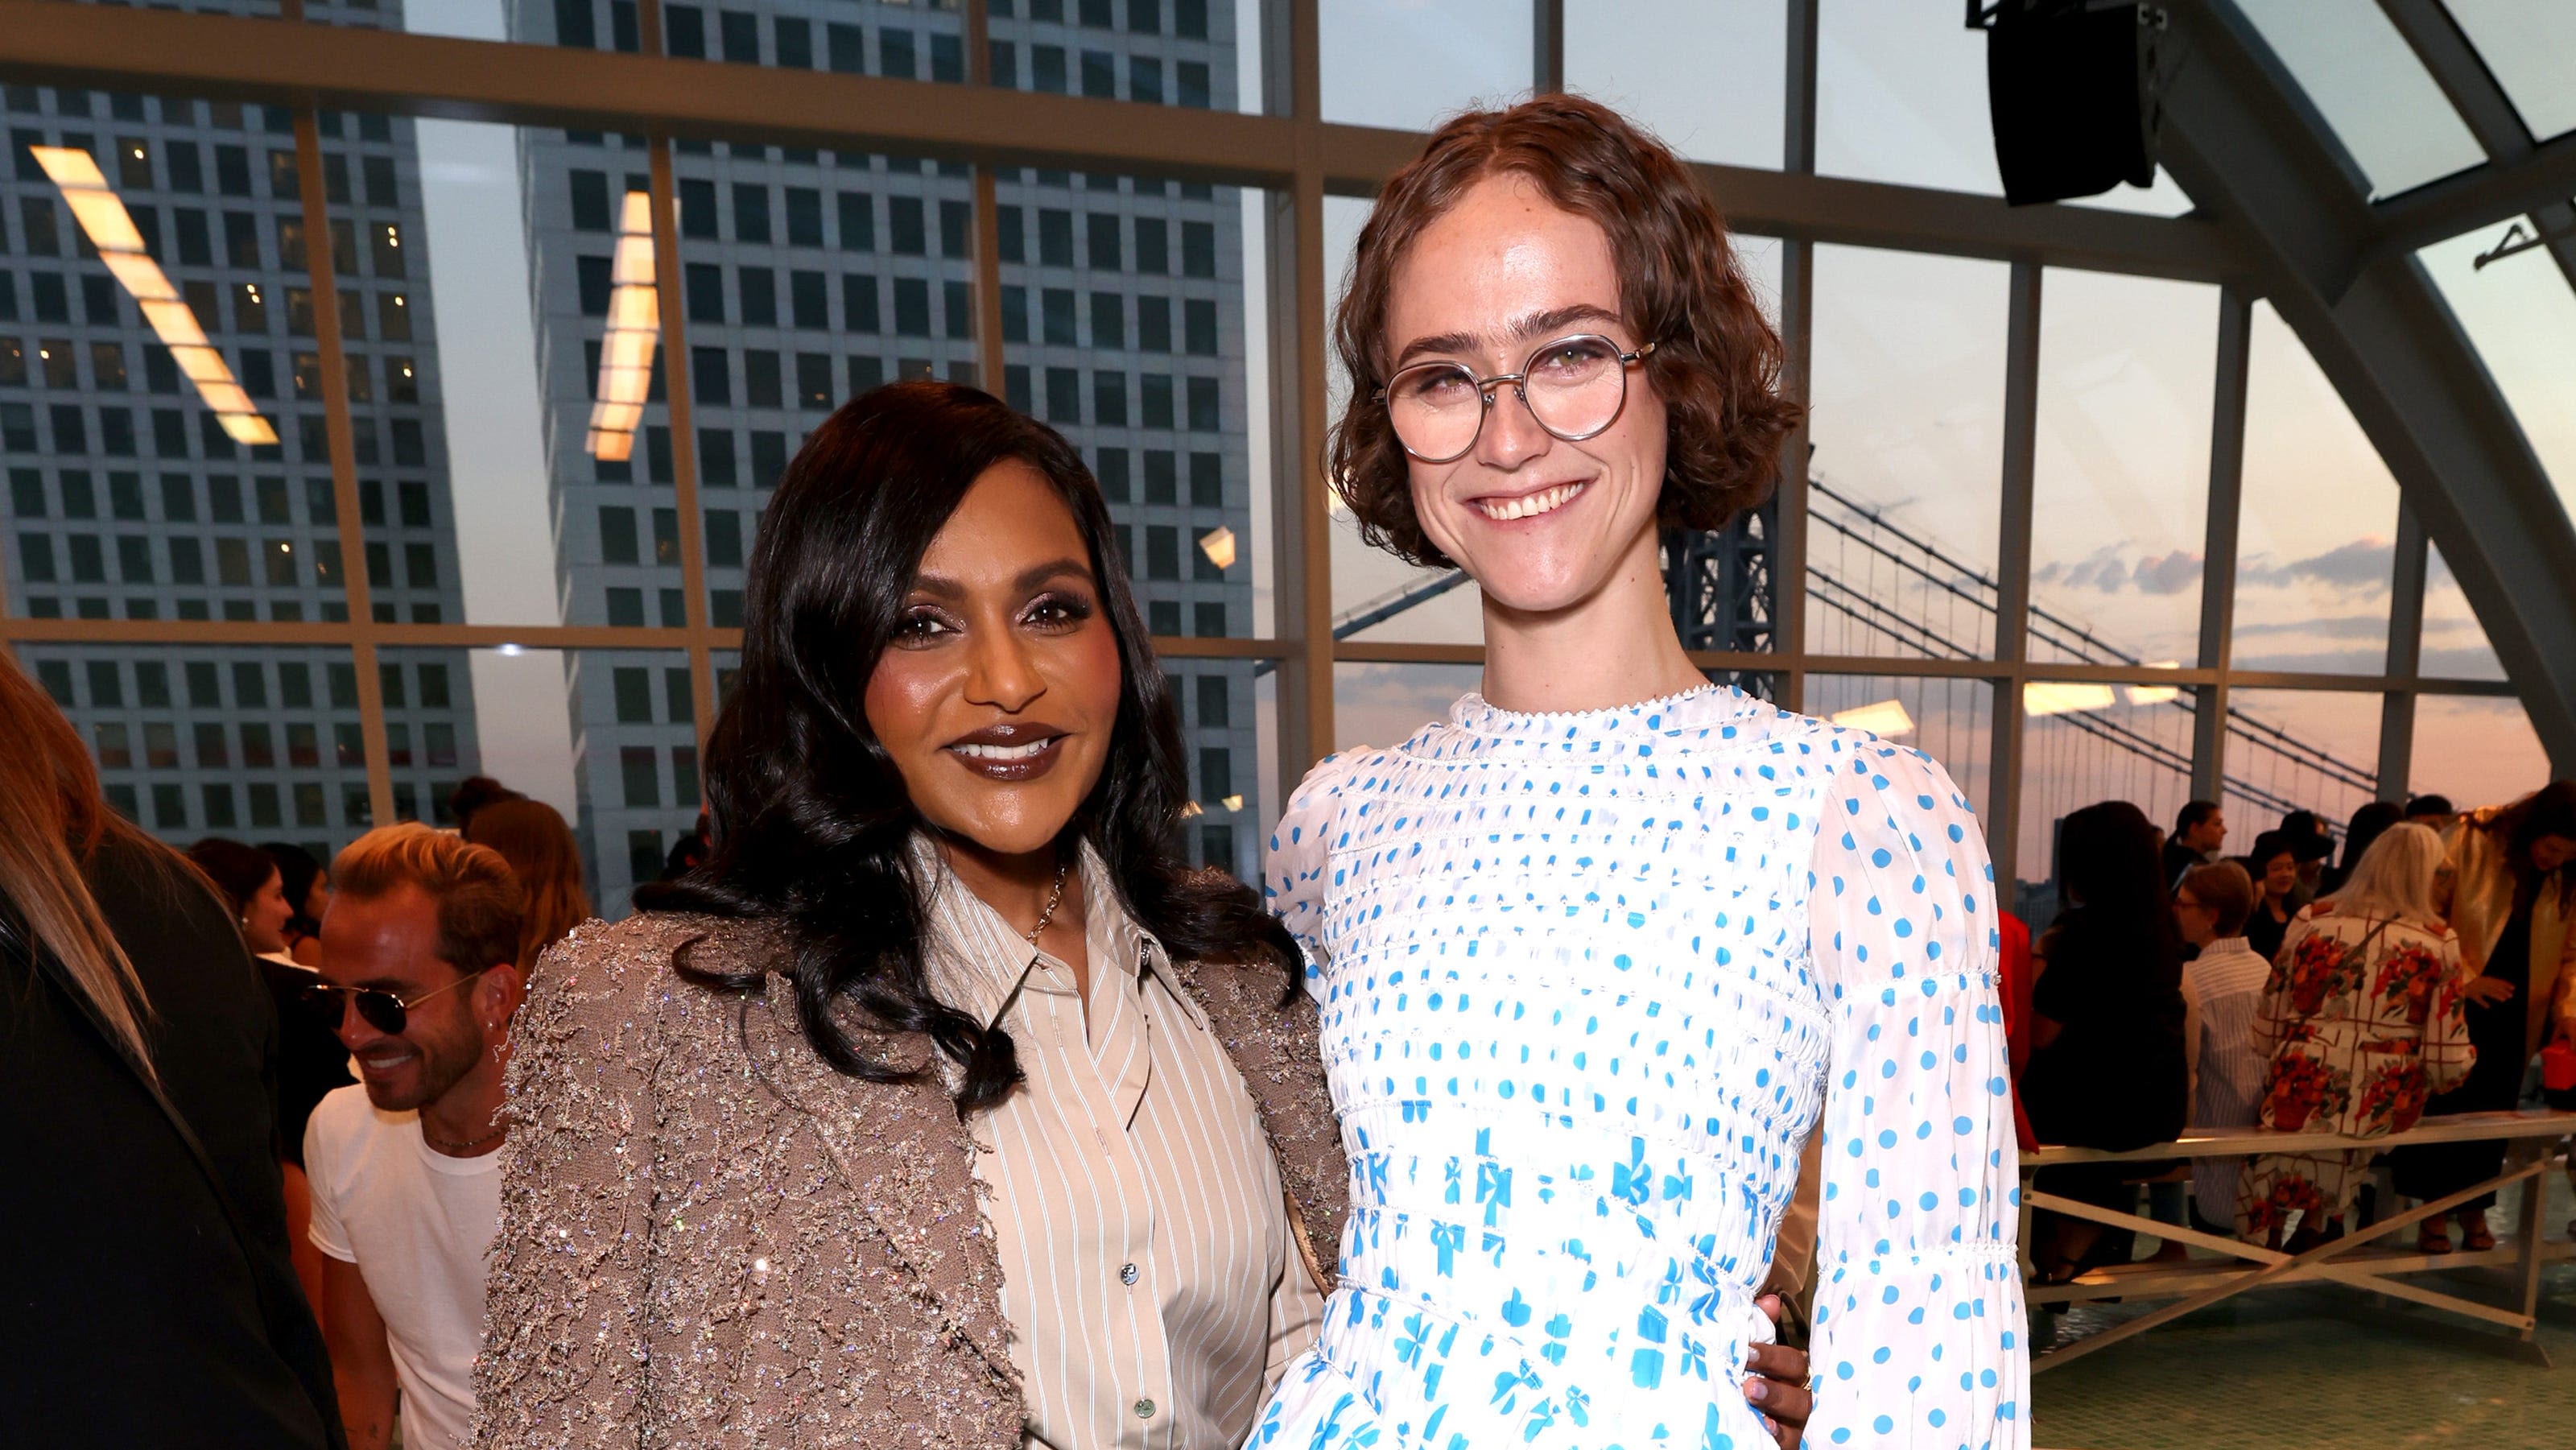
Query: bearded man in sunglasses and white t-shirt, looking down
x=421, y=959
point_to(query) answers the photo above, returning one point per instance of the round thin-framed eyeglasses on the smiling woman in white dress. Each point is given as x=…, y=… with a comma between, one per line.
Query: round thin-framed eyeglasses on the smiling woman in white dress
x=1575, y=390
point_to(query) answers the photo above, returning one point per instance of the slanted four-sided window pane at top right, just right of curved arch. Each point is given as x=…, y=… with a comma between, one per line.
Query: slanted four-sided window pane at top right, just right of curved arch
x=2371, y=89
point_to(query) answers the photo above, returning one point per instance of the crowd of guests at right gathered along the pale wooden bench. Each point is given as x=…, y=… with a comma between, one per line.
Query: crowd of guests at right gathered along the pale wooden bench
x=2420, y=967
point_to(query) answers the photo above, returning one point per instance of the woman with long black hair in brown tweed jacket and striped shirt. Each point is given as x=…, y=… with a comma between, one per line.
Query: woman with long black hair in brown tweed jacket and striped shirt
x=944, y=1104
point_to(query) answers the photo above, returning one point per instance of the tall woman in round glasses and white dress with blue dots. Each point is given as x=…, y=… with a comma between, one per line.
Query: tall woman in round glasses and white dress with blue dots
x=1604, y=946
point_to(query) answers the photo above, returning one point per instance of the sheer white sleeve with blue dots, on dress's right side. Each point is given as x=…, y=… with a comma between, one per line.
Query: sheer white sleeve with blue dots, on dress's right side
x=1920, y=1330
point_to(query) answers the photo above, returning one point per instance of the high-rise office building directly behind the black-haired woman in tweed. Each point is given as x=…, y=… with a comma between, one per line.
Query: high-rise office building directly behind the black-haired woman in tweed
x=813, y=277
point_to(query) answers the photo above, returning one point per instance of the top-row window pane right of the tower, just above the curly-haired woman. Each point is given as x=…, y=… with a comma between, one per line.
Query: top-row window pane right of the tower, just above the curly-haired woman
x=1413, y=66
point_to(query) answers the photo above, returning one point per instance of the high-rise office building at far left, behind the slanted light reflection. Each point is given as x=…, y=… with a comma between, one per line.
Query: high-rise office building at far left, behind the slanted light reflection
x=128, y=498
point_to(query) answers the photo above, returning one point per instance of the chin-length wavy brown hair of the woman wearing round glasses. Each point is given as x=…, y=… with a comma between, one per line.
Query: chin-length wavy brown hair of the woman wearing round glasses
x=1717, y=359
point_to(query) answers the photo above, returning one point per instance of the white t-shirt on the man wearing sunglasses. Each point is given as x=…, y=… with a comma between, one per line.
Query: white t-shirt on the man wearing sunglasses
x=419, y=1227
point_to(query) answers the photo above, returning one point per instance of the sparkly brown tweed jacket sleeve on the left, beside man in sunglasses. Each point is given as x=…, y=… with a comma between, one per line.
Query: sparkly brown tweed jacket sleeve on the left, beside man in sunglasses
x=568, y=1289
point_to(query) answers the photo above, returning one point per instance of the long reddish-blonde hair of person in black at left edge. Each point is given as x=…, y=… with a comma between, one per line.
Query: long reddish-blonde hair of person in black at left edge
x=53, y=818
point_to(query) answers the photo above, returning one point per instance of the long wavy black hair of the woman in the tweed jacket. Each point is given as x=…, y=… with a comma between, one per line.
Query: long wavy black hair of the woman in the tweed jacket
x=810, y=813
